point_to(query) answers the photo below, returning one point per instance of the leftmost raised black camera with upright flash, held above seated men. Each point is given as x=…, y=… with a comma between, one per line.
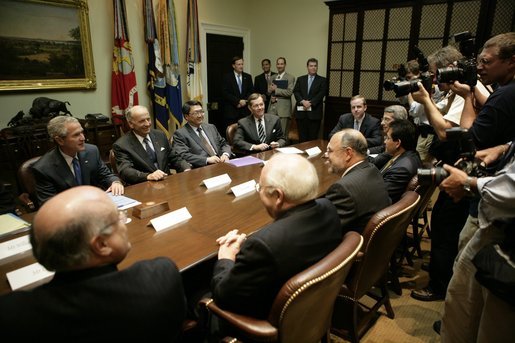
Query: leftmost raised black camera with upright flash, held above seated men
x=402, y=88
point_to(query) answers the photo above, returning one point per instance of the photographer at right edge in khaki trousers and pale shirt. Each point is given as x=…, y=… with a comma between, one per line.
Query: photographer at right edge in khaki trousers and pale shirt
x=473, y=312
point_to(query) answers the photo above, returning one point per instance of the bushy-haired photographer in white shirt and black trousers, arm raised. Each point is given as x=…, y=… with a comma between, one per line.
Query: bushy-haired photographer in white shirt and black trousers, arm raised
x=448, y=217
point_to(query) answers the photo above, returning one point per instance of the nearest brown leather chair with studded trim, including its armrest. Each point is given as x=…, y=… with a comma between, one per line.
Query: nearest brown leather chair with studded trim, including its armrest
x=302, y=309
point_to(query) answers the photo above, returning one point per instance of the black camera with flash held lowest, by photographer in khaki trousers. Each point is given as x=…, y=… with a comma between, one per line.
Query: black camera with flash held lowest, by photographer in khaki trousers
x=467, y=161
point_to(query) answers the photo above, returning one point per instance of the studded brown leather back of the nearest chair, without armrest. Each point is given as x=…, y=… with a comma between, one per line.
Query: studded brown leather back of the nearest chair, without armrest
x=303, y=307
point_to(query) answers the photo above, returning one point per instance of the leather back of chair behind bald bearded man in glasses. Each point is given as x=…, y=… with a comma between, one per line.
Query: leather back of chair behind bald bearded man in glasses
x=382, y=235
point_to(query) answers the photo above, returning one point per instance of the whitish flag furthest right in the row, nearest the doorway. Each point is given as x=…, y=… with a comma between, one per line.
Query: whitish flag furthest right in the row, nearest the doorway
x=193, y=53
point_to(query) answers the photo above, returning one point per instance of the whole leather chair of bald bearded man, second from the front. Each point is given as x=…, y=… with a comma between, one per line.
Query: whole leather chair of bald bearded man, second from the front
x=382, y=235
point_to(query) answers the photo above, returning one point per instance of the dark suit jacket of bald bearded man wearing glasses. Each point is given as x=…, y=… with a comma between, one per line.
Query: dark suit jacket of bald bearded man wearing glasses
x=358, y=196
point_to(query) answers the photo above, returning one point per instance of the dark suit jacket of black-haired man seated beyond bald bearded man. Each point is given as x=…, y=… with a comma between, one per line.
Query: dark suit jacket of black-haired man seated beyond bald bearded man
x=398, y=175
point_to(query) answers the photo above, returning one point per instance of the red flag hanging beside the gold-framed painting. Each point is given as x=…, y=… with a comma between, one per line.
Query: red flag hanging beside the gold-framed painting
x=124, y=94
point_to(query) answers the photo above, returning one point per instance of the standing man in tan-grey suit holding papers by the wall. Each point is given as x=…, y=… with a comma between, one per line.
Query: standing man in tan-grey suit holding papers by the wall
x=280, y=101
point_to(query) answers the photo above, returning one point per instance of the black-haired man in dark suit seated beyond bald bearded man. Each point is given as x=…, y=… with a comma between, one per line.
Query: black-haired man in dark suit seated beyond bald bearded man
x=400, y=161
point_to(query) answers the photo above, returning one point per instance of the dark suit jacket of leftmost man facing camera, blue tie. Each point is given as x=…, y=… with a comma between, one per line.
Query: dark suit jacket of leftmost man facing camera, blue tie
x=53, y=175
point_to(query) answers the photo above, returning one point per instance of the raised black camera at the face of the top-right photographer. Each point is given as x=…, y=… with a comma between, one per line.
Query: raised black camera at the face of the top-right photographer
x=465, y=70
